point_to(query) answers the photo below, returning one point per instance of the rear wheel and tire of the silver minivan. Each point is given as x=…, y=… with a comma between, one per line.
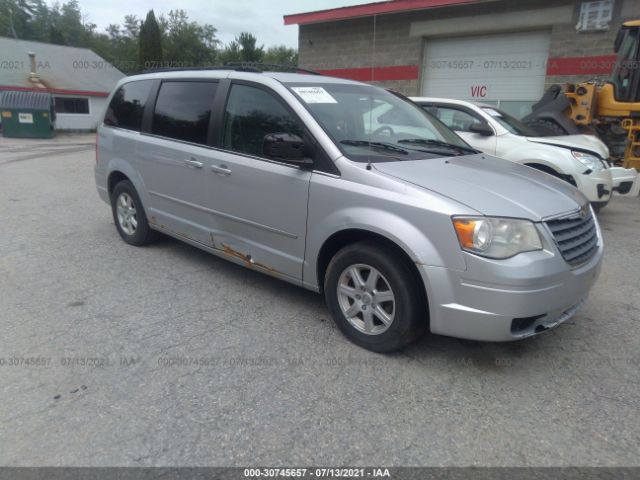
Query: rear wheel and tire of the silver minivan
x=129, y=217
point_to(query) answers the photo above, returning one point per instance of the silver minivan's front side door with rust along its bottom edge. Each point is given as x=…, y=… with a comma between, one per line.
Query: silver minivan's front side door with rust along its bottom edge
x=260, y=203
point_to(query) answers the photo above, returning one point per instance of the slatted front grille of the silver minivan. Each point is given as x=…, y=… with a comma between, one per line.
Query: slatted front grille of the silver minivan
x=576, y=236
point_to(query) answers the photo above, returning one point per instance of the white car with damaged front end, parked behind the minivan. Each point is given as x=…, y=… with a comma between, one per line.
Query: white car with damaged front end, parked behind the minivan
x=581, y=160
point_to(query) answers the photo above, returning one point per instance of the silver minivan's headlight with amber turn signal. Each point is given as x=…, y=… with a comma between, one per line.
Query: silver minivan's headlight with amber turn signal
x=496, y=237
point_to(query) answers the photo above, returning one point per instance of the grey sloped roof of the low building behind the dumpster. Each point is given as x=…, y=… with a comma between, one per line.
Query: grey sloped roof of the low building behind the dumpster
x=61, y=69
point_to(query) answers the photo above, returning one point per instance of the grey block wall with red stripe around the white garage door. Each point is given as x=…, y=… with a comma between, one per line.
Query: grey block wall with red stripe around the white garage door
x=349, y=44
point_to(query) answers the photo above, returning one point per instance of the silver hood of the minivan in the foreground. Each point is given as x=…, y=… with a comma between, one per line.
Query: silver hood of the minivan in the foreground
x=490, y=185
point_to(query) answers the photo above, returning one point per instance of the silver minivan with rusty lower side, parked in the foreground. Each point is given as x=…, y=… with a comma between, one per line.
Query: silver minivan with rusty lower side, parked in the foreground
x=347, y=189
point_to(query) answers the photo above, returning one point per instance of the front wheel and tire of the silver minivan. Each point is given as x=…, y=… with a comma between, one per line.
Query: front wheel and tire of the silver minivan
x=359, y=312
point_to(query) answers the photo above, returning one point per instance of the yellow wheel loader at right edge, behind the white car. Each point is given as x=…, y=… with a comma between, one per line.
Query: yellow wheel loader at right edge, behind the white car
x=610, y=109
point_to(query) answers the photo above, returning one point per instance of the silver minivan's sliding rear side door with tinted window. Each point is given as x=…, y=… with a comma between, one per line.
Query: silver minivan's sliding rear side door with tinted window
x=175, y=158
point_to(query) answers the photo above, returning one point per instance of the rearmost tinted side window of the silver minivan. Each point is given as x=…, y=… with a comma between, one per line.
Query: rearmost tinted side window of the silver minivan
x=127, y=105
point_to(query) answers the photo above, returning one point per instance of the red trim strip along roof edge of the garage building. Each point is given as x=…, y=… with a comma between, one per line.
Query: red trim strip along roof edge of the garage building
x=369, y=9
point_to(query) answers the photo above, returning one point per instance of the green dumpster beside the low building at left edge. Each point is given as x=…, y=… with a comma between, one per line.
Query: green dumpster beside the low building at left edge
x=27, y=114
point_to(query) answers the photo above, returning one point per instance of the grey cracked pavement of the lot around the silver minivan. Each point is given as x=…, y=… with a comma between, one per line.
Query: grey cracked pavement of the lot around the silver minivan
x=165, y=355
